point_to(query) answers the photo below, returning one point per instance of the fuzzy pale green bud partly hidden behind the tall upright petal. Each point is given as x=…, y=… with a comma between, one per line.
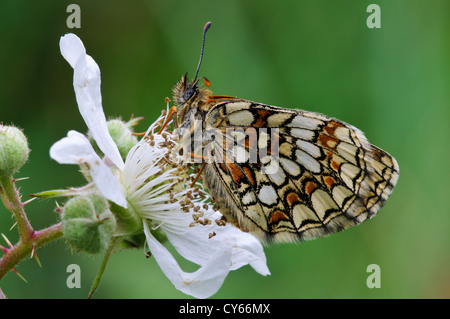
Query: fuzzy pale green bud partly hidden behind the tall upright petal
x=121, y=134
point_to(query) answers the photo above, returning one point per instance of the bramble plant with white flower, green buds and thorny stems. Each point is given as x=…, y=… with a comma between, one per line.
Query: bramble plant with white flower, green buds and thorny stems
x=137, y=193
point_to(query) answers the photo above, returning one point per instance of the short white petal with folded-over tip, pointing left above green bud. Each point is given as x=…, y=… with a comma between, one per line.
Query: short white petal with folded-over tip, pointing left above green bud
x=76, y=149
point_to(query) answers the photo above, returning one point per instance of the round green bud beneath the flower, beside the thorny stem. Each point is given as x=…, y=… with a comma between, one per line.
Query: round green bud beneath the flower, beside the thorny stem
x=88, y=224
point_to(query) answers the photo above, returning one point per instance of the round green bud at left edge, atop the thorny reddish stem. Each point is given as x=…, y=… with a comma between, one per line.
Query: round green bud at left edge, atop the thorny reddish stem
x=13, y=150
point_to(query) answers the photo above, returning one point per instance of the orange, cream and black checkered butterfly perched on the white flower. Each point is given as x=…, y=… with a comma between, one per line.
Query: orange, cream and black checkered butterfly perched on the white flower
x=282, y=174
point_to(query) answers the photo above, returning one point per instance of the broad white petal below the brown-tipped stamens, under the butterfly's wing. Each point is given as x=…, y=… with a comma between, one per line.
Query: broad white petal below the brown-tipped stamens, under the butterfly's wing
x=195, y=244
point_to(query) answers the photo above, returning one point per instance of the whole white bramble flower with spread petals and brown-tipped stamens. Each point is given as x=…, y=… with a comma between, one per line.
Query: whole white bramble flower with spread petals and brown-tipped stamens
x=154, y=188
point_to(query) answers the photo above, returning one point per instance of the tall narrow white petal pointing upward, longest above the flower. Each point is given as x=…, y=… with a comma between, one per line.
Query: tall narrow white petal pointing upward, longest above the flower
x=86, y=82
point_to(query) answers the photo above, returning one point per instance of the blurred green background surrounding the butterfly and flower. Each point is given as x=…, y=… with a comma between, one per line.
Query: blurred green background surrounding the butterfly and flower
x=392, y=83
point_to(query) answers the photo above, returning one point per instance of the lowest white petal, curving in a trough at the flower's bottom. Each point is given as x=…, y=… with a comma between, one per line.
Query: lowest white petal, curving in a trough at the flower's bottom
x=202, y=283
